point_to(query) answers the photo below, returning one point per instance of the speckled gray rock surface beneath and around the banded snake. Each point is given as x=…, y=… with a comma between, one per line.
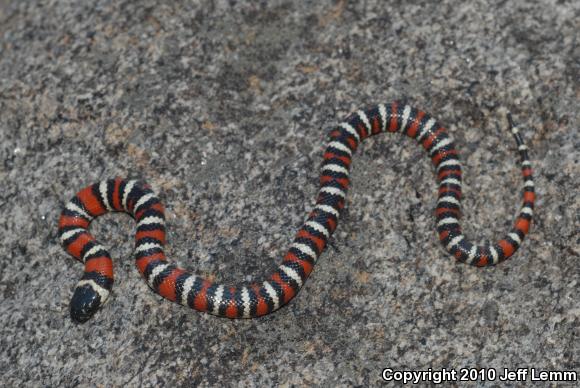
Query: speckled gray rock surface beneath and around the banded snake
x=223, y=108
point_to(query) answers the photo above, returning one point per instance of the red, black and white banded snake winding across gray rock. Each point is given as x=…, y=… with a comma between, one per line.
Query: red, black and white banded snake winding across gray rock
x=248, y=300
